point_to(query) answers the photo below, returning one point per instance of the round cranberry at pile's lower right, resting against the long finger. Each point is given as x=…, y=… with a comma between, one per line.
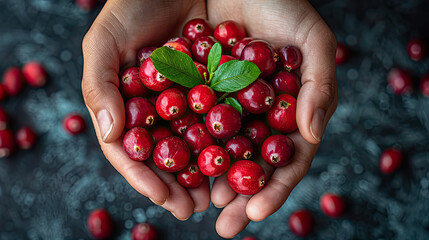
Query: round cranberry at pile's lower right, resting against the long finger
x=277, y=150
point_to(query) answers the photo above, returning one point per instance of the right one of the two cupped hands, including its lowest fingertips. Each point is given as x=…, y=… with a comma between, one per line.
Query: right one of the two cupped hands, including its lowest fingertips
x=282, y=23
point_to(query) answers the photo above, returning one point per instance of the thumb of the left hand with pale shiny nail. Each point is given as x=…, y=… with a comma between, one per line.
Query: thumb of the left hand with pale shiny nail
x=100, y=83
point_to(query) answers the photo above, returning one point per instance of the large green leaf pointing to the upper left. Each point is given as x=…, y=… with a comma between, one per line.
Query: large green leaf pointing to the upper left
x=176, y=66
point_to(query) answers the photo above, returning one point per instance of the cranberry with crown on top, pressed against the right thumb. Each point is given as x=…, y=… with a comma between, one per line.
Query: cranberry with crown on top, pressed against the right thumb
x=282, y=116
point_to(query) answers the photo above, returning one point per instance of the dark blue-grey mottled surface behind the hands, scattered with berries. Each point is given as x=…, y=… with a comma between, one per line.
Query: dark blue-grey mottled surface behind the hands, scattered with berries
x=46, y=193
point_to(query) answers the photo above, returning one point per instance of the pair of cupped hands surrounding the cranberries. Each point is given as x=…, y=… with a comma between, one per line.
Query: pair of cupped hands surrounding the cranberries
x=125, y=26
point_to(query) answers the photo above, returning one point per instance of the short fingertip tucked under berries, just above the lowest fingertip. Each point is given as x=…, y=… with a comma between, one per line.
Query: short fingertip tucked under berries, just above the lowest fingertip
x=222, y=193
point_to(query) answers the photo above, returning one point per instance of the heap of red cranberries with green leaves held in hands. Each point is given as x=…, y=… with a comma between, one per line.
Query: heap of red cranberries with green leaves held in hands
x=190, y=100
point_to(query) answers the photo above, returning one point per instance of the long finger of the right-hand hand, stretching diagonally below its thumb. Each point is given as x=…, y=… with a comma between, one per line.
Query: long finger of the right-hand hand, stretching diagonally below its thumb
x=282, y=182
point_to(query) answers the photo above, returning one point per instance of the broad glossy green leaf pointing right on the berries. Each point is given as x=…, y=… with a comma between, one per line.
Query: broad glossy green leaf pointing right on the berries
x=234, y=75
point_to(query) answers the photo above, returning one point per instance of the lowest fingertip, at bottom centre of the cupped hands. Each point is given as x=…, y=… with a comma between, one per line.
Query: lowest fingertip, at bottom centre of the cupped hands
x=233, y=218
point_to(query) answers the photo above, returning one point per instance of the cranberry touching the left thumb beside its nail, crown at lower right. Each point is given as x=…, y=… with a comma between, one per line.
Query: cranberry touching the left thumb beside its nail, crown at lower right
x=140, y=112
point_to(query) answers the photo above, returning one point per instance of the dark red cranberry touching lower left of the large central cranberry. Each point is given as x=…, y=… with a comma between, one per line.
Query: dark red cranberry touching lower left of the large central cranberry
x=198, y=138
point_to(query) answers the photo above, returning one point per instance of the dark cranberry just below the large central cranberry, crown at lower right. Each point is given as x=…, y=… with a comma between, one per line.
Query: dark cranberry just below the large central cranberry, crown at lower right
x=239, y=147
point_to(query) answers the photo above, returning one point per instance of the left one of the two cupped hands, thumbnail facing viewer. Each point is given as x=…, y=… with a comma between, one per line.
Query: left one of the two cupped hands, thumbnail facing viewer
x=120, y=30
